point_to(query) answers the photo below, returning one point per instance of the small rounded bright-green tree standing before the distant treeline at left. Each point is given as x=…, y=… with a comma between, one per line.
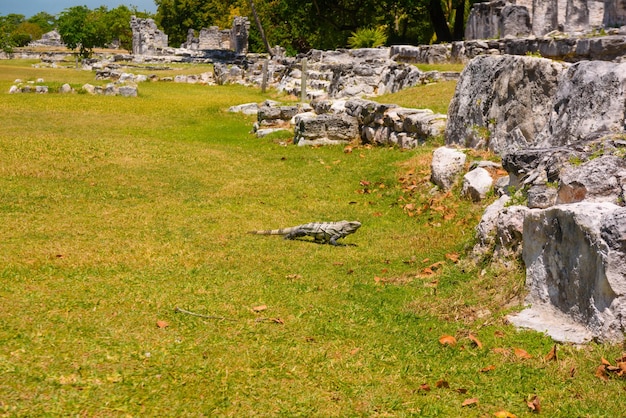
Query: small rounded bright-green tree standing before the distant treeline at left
x=83, y=28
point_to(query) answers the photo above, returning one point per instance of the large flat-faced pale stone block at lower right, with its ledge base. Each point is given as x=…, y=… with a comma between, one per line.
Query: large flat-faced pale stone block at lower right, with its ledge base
x=575, y=258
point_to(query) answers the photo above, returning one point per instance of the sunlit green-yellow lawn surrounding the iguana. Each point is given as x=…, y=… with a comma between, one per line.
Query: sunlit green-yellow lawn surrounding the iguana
x=118, y=213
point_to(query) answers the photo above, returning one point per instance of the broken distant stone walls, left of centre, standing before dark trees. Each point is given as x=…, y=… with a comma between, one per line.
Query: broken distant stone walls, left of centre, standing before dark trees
x=149, y=40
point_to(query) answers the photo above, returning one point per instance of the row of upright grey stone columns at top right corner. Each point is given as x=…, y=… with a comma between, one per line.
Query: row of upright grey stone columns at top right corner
x=518, y=18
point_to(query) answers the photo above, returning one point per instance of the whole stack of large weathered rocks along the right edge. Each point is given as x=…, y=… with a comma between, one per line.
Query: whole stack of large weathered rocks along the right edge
x=566, y=158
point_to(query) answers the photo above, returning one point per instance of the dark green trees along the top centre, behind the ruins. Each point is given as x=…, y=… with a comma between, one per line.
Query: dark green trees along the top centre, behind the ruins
x=299, y=25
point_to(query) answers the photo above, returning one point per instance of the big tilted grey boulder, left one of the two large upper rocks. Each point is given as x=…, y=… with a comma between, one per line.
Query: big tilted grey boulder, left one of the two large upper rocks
x=502, y=102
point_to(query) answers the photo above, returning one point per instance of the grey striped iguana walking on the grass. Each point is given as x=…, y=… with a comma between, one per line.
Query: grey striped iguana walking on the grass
x=322, y=232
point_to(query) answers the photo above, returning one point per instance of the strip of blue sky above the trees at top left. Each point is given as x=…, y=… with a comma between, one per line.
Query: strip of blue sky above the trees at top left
x=54, y=7
